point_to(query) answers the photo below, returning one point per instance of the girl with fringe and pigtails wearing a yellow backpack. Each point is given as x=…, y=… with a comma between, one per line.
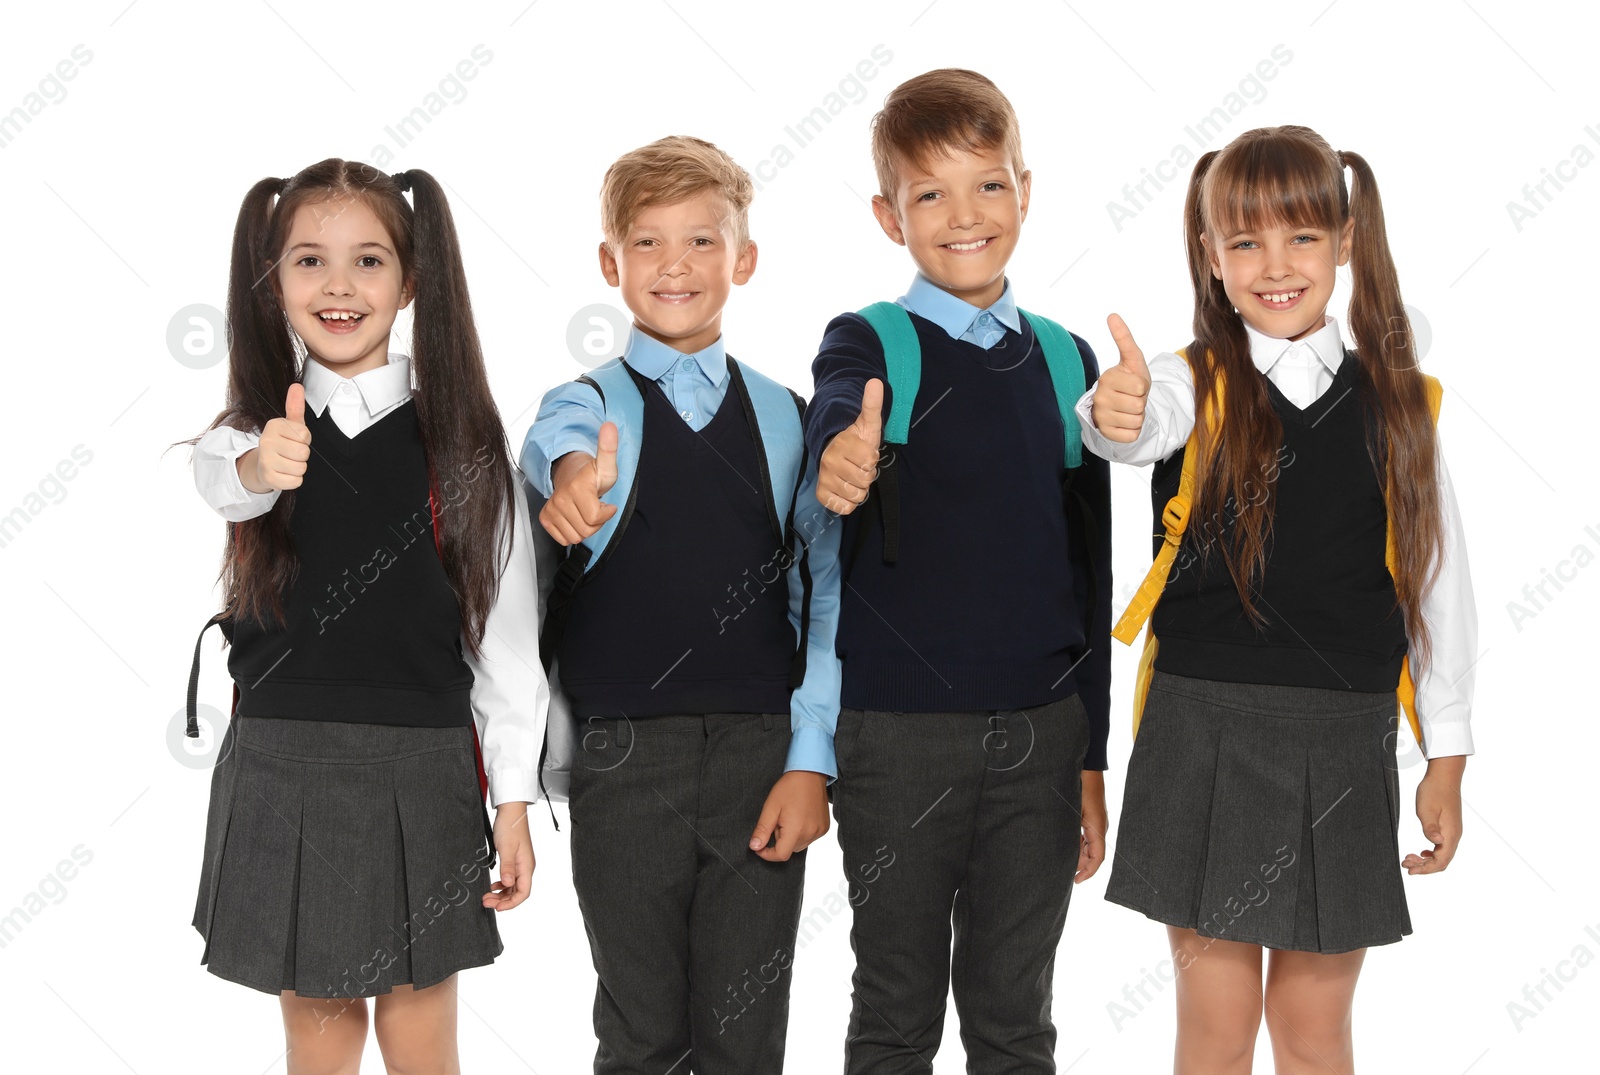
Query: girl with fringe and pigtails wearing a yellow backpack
x=1313, y=569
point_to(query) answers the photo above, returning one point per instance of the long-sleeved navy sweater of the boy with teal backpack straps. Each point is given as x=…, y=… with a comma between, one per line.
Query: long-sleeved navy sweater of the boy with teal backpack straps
x=988, y=605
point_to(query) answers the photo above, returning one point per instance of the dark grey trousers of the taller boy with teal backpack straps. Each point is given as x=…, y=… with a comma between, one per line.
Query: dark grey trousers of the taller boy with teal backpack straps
x=966, y=821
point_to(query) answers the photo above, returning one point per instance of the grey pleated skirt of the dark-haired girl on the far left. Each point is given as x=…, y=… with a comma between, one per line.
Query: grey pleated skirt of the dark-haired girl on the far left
x=345, y=860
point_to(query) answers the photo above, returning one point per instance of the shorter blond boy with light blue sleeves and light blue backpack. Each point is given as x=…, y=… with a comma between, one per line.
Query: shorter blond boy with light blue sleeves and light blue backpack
x=706, y=733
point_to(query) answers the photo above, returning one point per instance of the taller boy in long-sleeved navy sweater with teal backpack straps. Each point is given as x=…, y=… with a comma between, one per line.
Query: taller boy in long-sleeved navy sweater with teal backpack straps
x=975, y=615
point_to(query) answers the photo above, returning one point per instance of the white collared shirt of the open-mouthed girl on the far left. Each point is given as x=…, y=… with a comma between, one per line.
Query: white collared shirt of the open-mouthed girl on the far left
x=510, y=690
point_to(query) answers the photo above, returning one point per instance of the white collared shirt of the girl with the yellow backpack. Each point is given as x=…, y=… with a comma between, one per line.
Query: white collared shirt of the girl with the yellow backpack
x=1303, y=370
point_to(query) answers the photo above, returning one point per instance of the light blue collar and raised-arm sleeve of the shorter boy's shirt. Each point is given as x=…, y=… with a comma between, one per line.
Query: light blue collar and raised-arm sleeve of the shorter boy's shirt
x=570, y=422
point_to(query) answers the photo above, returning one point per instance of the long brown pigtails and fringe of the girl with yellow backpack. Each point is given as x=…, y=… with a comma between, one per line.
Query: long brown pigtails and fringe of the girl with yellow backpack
x=1290, y=175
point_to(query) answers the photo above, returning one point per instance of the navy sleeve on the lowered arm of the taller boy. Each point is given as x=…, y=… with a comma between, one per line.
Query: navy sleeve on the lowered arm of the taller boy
x=1092, y=586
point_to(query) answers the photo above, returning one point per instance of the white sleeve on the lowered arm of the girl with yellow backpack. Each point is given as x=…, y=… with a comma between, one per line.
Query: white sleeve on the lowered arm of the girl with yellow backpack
x=1444, y=692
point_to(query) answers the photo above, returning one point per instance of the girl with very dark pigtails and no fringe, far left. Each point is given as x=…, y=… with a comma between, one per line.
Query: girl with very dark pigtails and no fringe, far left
x=378, y=596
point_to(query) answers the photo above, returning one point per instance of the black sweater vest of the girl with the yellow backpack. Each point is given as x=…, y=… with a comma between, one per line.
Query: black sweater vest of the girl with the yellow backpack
x=1327, y=594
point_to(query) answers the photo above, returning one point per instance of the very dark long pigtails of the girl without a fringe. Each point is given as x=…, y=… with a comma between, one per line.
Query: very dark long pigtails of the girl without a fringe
x=462, y=428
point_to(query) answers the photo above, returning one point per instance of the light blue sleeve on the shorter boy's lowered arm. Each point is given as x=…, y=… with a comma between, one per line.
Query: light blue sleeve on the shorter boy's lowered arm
x=814, y=708
